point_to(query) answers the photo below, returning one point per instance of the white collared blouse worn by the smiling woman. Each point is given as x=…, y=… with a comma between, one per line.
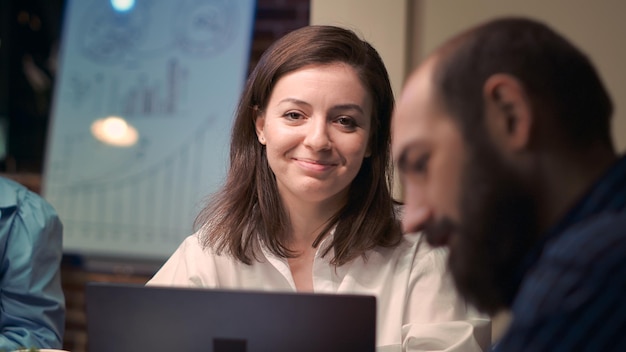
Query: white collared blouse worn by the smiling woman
x=418, y=307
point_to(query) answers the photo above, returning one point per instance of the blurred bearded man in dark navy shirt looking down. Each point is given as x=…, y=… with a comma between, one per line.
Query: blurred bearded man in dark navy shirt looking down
x=502, y=137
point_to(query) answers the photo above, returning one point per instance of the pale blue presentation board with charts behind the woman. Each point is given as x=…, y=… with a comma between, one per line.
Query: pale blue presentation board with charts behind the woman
x=172, y=70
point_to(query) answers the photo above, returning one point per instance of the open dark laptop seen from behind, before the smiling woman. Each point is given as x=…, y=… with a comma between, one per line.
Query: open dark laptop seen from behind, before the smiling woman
x=125, y=318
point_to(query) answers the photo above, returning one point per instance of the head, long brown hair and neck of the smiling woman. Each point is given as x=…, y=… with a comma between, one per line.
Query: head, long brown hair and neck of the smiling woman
x=292, y=92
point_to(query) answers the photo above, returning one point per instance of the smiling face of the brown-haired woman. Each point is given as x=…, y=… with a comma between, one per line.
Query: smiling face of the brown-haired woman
x=315, y=128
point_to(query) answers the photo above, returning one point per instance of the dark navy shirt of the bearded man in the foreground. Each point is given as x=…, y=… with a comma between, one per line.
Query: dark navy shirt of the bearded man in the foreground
x=572, y=291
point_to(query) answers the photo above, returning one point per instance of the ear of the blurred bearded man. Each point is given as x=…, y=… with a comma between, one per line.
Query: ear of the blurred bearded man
x=508, y=112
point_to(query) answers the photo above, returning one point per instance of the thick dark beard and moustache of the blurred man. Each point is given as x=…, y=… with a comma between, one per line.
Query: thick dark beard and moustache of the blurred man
x=497, y=228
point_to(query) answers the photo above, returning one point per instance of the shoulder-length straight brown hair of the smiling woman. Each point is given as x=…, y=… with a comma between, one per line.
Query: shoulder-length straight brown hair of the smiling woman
x=247, y=212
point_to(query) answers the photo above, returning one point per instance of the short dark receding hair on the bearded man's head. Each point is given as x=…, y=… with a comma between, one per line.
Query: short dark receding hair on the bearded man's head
x=559, y=79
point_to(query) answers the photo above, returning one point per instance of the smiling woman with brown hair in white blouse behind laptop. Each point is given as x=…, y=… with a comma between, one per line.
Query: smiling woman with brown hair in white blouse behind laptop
x=307, y=207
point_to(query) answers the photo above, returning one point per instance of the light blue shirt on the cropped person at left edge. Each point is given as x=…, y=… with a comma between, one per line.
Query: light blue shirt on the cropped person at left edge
x=32, y=305
